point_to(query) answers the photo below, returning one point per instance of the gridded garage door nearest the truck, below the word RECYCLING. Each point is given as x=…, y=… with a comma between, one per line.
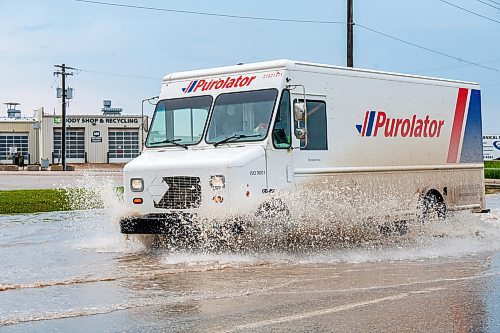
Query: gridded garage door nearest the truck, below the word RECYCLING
x=123, y=143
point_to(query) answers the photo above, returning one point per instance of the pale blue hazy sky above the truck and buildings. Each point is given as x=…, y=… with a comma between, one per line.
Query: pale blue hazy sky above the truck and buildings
x=123, y=53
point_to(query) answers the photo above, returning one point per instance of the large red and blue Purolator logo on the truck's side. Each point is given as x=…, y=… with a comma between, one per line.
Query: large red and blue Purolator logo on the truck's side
x=377, y=123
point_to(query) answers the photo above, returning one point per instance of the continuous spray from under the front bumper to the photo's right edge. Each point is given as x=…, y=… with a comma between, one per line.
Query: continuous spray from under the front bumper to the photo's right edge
x=332, y=219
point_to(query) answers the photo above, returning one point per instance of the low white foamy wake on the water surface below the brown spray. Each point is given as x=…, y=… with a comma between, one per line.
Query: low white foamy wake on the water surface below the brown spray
x=463, y=234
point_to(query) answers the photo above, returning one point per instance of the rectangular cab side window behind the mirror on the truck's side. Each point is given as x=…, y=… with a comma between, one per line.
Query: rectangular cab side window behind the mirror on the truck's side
x=317, y=138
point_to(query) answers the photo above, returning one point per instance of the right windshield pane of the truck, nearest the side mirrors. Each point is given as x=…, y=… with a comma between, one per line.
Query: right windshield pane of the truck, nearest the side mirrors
x=241, y=116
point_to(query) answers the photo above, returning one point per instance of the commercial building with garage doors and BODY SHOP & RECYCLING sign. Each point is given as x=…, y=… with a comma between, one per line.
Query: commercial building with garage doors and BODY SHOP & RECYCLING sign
x=107, y=138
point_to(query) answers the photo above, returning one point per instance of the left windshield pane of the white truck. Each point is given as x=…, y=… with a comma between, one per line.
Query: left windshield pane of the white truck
x=179, y=122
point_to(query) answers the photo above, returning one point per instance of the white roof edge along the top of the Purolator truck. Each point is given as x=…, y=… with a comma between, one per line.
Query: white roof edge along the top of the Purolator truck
x=296, y=65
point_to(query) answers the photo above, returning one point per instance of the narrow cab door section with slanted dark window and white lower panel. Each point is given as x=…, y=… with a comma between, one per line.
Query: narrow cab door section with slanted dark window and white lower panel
x=279, y=153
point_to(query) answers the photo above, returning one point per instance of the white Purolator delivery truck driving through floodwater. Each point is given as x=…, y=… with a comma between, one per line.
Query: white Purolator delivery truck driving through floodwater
x=225, y=141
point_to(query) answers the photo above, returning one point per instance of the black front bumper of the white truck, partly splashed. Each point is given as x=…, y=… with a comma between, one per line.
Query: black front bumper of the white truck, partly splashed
x=171, y=223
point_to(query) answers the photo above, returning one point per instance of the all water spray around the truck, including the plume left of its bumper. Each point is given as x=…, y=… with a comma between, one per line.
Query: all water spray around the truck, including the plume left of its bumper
x=331, y=217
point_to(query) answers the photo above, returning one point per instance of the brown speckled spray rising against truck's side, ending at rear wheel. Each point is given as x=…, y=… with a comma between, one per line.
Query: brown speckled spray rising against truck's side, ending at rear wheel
x=330, y=216
